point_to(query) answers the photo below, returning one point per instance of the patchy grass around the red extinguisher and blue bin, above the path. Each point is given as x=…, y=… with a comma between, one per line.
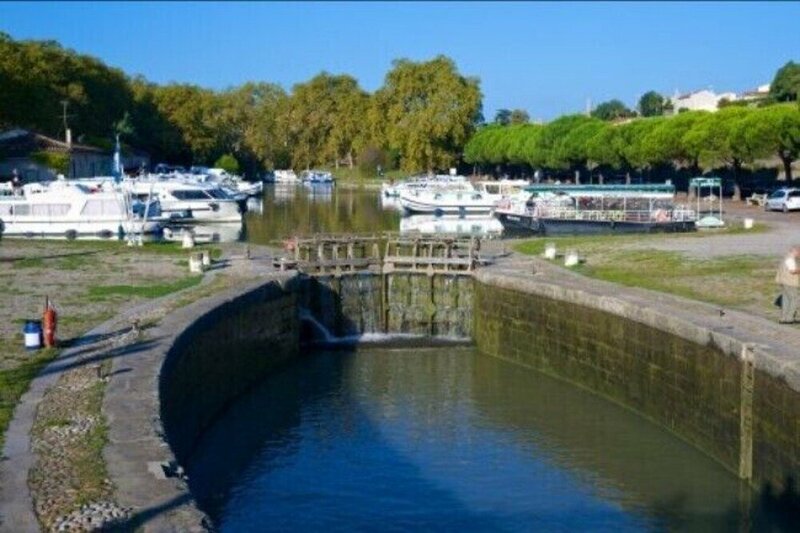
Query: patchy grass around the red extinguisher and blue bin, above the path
x=88, y=282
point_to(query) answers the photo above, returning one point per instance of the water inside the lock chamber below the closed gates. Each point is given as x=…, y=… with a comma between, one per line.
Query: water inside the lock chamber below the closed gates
x=448, y=439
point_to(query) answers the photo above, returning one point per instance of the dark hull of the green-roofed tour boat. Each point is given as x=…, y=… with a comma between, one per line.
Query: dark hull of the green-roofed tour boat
x=530, y=225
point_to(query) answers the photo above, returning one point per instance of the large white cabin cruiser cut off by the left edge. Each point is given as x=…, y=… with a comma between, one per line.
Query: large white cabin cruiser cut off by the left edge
x=71, y=210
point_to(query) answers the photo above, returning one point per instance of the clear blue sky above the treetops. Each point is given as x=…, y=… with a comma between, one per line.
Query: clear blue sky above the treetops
x=547, y=58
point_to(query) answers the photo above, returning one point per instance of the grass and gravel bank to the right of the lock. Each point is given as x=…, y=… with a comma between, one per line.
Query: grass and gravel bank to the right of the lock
x=733, y=268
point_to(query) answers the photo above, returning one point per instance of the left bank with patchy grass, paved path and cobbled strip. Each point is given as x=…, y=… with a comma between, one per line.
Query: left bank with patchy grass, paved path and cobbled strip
x=59, y=429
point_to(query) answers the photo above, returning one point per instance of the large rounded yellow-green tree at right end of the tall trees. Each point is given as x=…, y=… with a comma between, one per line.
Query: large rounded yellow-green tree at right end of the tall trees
x=430, y=111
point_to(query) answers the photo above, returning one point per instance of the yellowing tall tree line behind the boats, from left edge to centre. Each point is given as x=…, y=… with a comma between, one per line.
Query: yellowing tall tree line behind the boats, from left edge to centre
x=419, y=119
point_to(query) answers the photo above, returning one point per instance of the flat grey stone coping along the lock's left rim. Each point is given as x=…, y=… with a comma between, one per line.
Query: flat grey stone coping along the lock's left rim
x=137, y=443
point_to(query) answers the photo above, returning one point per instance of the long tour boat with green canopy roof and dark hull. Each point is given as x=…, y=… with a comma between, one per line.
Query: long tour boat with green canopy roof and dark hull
x=593, y=209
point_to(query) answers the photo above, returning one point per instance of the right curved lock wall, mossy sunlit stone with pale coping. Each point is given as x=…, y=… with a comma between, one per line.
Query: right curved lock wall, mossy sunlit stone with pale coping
x=733, y=400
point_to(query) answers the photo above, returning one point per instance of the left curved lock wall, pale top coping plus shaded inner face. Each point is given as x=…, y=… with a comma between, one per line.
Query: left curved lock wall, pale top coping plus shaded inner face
x=195, y=362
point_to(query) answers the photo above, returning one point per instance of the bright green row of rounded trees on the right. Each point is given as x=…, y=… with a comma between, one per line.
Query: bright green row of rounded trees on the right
x=731, y=138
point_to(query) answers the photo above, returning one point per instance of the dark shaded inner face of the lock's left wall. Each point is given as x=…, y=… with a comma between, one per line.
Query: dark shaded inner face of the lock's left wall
x=222, y=354
